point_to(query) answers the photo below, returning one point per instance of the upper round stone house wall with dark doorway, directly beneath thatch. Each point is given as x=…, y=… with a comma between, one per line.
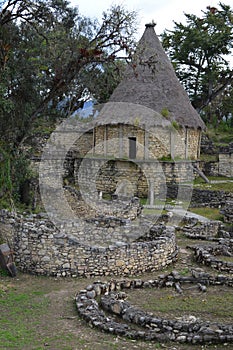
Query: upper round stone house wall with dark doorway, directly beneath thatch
x=112, y=140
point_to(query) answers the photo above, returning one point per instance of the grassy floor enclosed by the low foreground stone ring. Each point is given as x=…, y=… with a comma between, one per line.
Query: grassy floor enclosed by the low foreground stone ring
x=166, y=303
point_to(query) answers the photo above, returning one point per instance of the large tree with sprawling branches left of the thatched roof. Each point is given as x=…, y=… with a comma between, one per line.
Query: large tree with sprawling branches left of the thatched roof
x=49, y=58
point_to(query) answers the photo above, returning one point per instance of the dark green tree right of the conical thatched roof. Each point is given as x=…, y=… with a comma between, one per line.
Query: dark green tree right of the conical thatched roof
x=199, y=51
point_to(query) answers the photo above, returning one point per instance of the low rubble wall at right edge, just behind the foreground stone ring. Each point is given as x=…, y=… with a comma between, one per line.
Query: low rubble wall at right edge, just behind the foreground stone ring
x=211, y=255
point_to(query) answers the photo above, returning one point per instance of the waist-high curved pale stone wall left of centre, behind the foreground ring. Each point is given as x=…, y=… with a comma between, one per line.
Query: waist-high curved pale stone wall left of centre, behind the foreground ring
x=40, y=248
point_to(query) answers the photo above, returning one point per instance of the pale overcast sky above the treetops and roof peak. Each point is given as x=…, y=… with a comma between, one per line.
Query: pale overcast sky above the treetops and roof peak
x=163, y=12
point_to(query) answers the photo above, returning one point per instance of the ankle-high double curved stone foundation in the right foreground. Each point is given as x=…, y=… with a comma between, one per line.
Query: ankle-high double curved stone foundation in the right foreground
x=190, y=330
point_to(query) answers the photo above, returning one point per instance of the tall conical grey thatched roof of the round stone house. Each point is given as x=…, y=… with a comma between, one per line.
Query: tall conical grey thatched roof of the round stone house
x=152, y=82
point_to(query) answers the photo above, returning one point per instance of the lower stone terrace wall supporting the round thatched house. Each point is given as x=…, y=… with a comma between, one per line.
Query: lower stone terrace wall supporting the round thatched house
x=139, y=174
